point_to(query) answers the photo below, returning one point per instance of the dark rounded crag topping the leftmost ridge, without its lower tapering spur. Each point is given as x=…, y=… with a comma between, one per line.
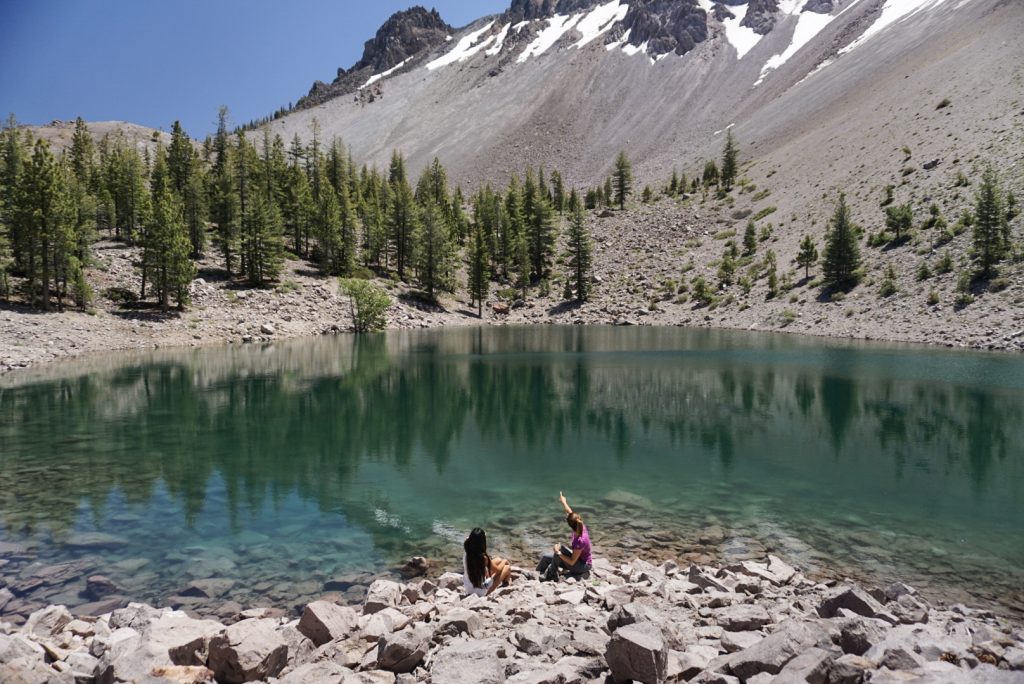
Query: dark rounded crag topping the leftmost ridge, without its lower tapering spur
x=405, y=34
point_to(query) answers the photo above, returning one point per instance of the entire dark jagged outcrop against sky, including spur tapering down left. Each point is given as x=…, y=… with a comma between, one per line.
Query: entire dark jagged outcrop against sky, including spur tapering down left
x=406, y=35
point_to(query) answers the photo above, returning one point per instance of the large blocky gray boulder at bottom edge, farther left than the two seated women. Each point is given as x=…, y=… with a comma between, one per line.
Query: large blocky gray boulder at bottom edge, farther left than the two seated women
x=248, y=652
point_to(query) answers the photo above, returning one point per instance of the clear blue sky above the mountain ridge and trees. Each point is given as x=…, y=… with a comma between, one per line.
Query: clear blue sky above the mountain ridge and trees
x=151, y=63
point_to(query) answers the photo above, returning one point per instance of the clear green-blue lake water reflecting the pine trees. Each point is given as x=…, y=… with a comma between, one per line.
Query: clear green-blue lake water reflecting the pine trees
x=287, y=467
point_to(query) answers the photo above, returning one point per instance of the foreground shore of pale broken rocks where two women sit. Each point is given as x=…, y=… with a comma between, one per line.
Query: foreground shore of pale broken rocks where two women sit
x=745, y=623
